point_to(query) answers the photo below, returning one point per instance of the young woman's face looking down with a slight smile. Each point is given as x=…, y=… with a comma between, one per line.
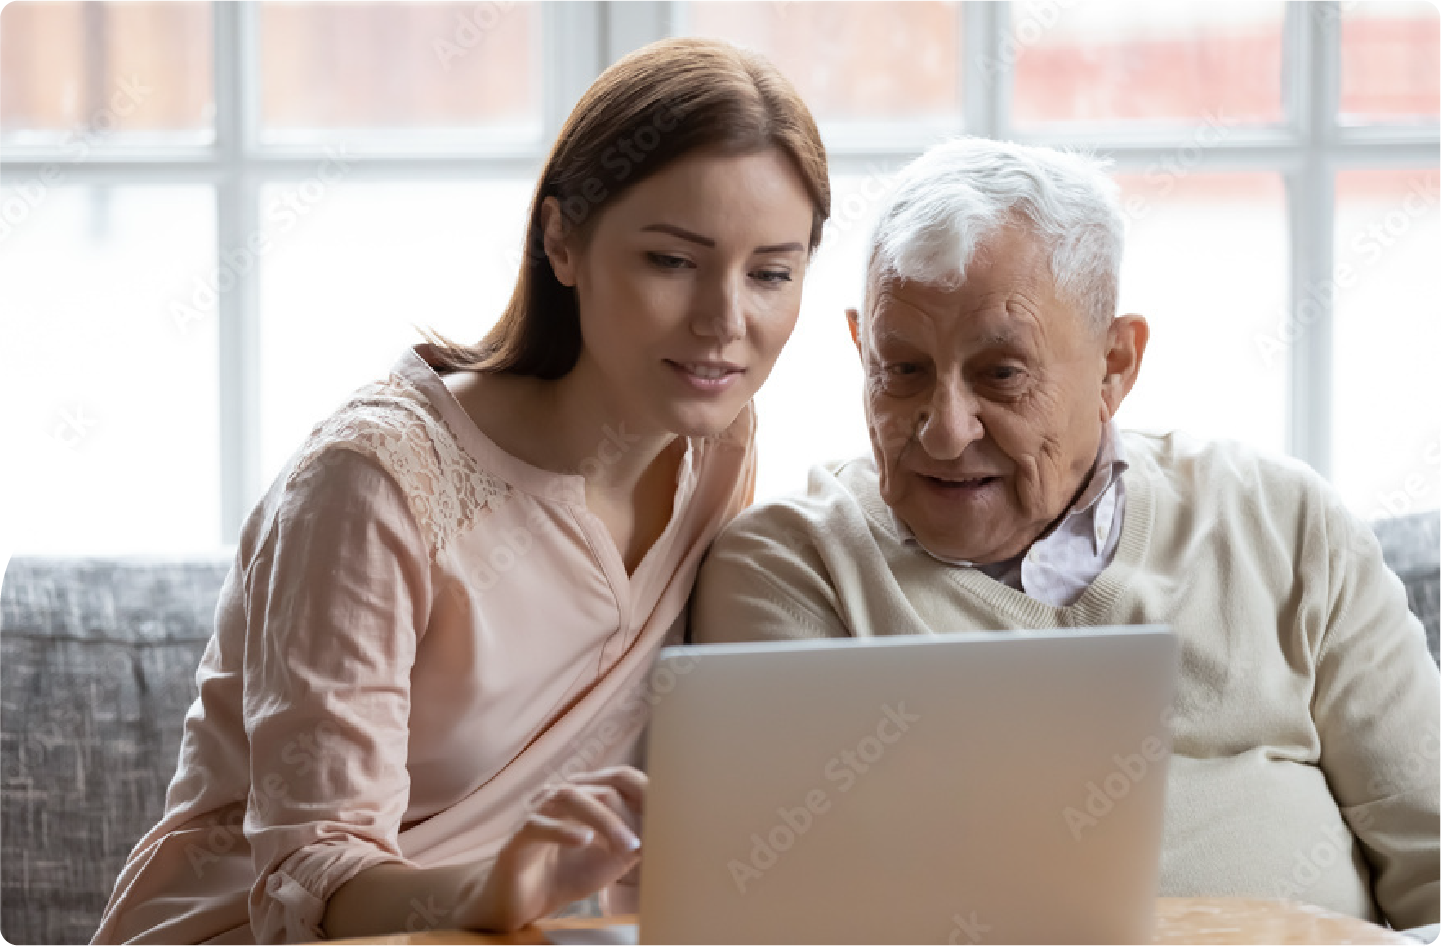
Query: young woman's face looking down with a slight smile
x=690, y=288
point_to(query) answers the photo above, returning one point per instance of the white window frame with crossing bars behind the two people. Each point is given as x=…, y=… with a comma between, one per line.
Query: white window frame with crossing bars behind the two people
x=579, y=38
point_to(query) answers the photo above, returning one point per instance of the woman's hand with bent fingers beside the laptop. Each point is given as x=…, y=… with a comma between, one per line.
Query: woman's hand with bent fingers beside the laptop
x=583, y=837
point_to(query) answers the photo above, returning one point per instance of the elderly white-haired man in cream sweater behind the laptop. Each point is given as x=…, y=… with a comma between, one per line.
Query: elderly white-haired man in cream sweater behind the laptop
x=1002, y=495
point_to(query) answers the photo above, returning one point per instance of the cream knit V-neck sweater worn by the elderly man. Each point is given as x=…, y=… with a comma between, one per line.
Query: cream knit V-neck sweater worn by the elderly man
x=1308, y=722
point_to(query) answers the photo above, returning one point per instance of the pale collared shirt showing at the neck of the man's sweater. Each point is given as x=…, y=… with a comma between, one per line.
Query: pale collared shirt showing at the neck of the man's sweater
x=1060, y=567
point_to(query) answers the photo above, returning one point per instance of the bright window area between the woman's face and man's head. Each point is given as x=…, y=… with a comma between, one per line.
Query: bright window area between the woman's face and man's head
x=811, y=409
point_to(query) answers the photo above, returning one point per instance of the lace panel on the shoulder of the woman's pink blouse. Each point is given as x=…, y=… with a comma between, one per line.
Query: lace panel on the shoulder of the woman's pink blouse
x=394, y=423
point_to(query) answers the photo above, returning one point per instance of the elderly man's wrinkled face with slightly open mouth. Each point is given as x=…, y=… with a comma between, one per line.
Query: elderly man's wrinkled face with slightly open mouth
x=985, y=403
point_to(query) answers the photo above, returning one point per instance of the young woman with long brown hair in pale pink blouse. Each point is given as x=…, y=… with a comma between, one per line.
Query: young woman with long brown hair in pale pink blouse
x=430, y=658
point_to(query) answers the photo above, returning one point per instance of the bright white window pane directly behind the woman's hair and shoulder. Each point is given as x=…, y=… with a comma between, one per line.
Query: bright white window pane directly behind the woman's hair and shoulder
x=351, y=270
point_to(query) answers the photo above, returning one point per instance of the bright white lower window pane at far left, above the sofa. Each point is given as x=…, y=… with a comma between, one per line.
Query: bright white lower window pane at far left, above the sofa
x=109, y=389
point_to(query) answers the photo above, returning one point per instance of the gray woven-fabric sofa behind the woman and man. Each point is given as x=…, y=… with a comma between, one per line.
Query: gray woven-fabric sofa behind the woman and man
x=97, y=670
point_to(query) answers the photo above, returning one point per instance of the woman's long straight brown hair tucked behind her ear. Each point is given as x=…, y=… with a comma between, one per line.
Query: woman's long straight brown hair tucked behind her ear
x=655, y=106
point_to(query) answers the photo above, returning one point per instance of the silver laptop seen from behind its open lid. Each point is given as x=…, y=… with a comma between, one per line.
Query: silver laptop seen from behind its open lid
x=998, y=790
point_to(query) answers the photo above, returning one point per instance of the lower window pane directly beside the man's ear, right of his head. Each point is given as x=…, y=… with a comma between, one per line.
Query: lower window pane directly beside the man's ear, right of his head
x=1207, y=263
